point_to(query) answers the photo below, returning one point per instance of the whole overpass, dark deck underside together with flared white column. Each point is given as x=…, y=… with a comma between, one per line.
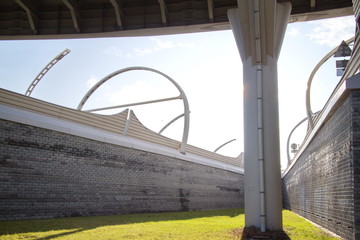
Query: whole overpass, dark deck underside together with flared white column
x=258, y=27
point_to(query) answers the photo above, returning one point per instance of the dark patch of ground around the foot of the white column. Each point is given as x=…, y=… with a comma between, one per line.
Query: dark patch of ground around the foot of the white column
x=255, y=233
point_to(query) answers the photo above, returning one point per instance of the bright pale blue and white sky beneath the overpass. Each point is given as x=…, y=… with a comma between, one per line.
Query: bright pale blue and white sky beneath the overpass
x=206, y=65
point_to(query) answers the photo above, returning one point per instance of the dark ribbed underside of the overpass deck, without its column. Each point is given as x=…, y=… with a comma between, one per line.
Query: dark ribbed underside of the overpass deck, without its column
x=46, y=19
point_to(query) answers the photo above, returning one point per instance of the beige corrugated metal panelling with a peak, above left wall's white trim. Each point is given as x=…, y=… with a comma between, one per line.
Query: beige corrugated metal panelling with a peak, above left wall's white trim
x=114, y=123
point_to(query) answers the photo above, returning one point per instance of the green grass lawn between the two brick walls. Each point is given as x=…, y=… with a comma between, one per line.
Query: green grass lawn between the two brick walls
x=210, y=224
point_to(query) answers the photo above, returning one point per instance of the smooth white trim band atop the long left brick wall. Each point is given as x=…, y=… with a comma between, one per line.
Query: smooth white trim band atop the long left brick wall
x=55, y=124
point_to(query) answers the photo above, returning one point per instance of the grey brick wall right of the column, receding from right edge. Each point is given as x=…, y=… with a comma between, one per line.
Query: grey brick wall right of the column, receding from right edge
x=323, y=185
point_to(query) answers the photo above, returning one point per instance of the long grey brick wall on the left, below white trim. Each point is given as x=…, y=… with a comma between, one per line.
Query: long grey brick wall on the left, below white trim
x=46, y=174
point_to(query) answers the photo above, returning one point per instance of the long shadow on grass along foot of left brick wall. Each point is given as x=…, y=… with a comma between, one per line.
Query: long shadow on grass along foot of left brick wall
x=77, y=224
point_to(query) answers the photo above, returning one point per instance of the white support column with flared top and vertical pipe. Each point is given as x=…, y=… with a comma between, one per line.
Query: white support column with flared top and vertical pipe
x=259, y=27
